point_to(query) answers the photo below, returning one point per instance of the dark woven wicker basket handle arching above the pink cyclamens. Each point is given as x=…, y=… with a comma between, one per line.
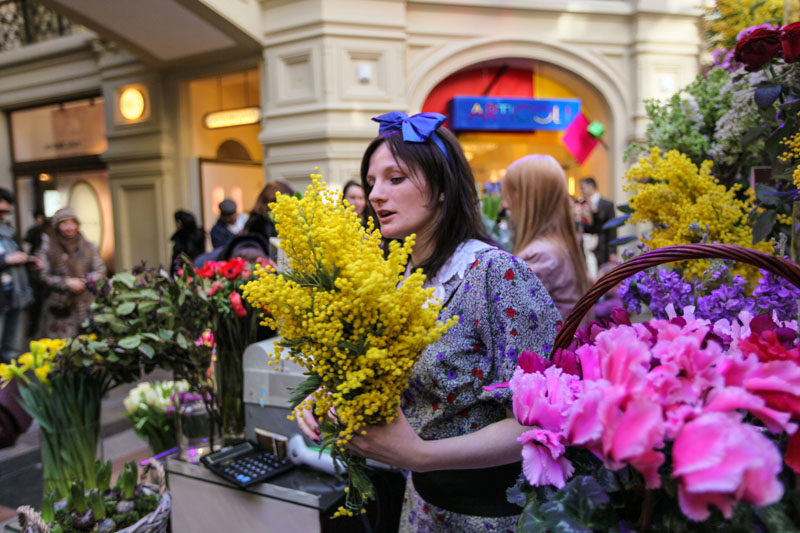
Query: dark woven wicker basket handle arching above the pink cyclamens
x=777, y=265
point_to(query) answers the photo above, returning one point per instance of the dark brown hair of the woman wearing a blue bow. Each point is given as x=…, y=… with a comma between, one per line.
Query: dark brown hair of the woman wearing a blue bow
x=459, y=217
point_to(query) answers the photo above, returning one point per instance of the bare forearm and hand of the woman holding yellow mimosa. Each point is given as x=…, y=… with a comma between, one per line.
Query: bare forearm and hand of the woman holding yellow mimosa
x=398, y=444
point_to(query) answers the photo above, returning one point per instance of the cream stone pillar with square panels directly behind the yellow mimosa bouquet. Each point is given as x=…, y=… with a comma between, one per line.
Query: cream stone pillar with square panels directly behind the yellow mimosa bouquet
x=330, y=65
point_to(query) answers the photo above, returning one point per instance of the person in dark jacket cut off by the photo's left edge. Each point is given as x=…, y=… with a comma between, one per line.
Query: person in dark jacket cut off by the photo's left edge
x=16, y=293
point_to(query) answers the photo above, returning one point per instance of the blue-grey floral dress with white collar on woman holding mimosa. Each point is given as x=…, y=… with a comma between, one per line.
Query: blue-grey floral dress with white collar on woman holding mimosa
x=503, y=309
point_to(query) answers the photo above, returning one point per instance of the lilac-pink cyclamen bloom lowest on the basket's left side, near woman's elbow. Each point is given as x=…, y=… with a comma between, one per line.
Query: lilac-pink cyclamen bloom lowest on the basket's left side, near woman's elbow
x=543, y=461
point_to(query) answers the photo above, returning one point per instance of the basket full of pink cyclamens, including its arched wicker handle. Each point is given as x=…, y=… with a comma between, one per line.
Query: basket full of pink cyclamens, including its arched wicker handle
x=677, y=424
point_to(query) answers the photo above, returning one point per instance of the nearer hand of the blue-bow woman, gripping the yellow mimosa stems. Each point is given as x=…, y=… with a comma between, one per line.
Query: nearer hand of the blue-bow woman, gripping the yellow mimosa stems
x=395, y=444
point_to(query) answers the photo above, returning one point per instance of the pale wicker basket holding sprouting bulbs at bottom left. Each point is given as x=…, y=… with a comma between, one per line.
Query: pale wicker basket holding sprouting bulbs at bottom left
x=156, y=522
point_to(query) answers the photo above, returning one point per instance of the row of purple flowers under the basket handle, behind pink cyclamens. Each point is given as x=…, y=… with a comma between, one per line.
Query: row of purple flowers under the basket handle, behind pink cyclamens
x=660, y=287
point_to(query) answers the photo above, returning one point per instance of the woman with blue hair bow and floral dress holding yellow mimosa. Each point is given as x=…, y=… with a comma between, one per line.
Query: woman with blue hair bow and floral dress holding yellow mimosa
x=458, y=440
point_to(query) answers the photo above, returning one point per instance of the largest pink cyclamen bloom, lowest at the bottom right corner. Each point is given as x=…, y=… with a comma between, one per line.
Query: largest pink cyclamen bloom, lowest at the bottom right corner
x=718, y=460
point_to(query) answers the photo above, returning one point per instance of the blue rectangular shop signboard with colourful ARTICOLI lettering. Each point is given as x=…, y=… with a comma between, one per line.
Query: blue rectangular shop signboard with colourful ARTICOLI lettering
x=512, y=114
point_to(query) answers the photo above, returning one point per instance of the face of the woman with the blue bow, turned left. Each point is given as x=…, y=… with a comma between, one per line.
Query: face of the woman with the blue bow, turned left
x=400, y=198
